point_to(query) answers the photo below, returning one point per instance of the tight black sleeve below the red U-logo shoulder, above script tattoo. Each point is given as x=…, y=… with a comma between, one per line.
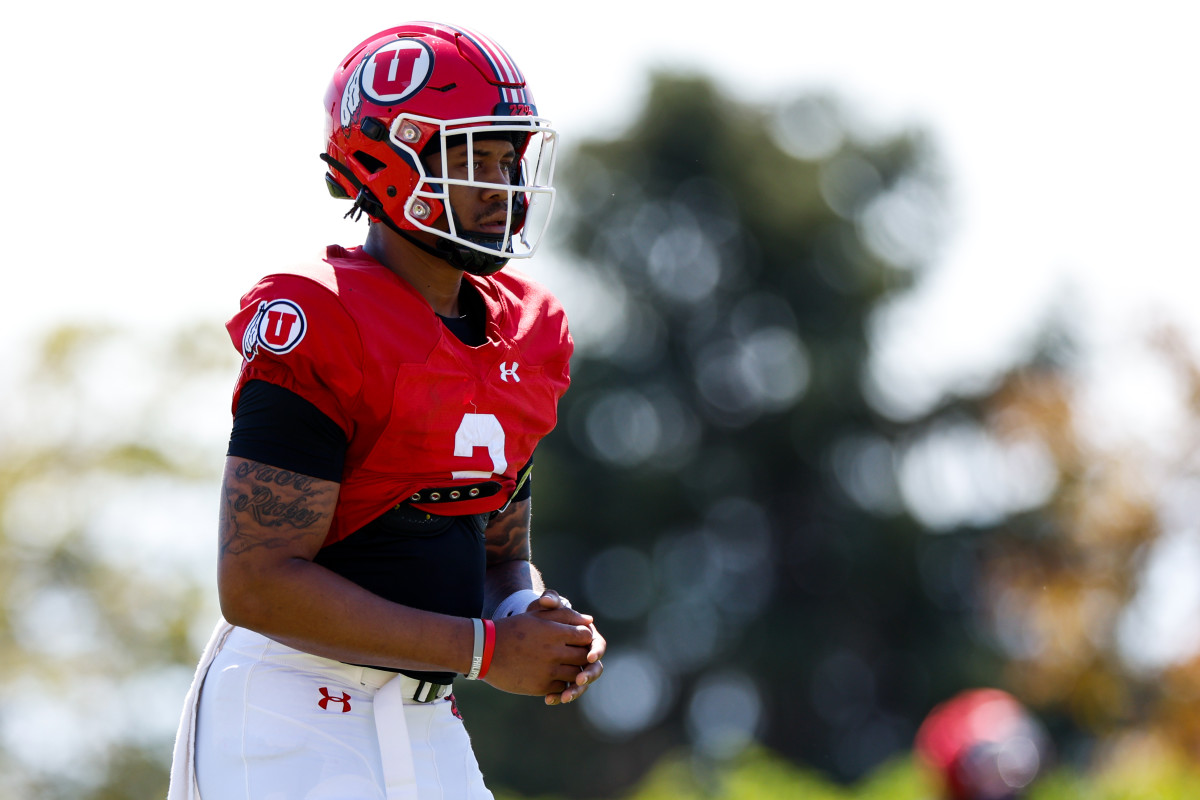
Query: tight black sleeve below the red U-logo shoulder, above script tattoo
x=279, y=428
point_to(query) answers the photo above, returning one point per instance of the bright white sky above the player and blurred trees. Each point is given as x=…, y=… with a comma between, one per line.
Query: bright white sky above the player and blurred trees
x=161, y=158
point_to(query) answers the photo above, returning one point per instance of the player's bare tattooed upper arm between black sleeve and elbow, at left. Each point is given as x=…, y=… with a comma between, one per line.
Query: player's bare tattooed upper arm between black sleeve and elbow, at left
x=269, y=515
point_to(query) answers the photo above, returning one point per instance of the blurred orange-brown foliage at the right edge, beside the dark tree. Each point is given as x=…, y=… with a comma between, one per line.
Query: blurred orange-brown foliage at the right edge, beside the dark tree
x=1064, y=587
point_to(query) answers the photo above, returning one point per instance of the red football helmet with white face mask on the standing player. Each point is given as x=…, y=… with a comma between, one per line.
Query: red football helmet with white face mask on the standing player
x=398, y=99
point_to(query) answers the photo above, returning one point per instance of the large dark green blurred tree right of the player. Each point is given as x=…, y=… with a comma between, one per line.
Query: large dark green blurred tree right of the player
x=727, y=486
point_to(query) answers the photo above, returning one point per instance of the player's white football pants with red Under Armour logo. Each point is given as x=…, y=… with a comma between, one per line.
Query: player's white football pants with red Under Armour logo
x=277, y=724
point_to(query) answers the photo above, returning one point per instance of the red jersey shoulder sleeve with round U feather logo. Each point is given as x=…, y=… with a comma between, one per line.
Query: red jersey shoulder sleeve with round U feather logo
x=295, y=333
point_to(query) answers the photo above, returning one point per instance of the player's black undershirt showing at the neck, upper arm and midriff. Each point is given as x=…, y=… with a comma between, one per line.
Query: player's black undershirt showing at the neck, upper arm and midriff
x=429, y=562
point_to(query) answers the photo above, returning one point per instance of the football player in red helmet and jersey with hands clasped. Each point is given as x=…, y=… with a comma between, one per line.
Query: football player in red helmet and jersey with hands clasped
x=375, y=518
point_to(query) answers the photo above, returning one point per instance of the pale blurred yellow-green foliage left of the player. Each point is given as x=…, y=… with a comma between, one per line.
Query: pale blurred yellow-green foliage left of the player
x=103, y=590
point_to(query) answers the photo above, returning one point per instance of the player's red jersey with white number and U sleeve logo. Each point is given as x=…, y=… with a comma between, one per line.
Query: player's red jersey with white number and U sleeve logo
x=425, y=416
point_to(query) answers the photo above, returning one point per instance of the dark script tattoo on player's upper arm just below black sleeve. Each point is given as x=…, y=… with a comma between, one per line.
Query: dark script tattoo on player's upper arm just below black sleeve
x=265, y=507
